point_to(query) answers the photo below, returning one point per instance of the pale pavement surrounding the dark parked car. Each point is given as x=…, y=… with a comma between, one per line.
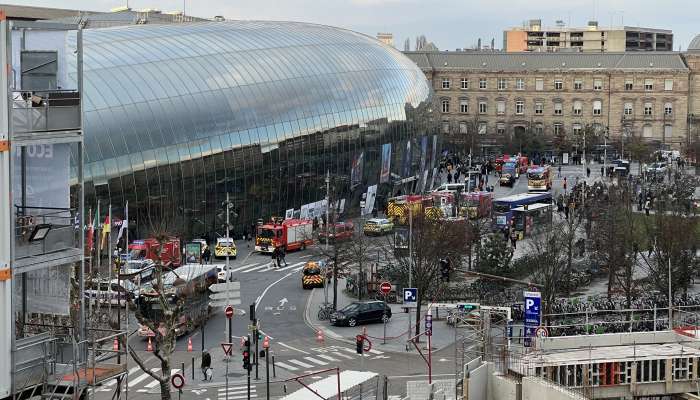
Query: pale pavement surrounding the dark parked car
x=396, y=328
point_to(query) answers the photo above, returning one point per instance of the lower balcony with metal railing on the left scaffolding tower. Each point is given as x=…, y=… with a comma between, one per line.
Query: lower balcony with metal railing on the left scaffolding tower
x=62, y=235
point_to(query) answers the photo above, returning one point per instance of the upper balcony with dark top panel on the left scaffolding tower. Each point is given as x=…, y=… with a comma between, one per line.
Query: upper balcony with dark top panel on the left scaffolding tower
x=44, y=111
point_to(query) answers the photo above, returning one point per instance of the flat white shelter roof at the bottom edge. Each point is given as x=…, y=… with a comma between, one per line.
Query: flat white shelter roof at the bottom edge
x=353, y=385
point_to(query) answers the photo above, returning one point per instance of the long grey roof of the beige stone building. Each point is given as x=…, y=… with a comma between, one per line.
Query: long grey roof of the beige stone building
x=530, y=61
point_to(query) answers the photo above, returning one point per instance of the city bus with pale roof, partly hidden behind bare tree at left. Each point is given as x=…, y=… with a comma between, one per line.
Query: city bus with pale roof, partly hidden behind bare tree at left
x=188, y=287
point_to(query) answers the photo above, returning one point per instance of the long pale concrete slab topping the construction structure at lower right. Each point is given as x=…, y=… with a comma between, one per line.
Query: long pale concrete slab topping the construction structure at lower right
x=611, y=339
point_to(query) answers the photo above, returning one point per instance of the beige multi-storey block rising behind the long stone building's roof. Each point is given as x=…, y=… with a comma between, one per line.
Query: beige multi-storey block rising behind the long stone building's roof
x=591, y=38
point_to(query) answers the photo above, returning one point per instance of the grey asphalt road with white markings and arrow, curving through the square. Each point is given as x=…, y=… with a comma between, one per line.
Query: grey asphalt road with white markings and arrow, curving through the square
x=281, y=304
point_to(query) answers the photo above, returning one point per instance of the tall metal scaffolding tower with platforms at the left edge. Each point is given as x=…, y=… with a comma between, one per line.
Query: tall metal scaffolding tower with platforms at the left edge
x=53, y=353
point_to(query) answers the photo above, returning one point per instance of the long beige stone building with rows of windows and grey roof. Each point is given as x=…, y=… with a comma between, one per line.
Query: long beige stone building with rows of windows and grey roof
x=506, y=96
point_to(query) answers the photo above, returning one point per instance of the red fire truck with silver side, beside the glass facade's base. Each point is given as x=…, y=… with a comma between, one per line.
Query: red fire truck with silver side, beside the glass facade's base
x=291, y=234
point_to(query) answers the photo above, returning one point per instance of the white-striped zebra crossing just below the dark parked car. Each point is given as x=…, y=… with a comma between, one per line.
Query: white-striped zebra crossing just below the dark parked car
x=321, y=357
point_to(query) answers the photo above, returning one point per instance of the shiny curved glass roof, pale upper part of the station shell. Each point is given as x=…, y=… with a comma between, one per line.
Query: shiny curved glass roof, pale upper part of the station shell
x=149, y=89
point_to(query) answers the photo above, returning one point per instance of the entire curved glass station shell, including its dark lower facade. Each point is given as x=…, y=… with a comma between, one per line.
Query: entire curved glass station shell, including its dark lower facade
x=176, y=116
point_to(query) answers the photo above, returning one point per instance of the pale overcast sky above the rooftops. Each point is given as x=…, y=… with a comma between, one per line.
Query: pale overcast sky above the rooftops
x=450, y=24
